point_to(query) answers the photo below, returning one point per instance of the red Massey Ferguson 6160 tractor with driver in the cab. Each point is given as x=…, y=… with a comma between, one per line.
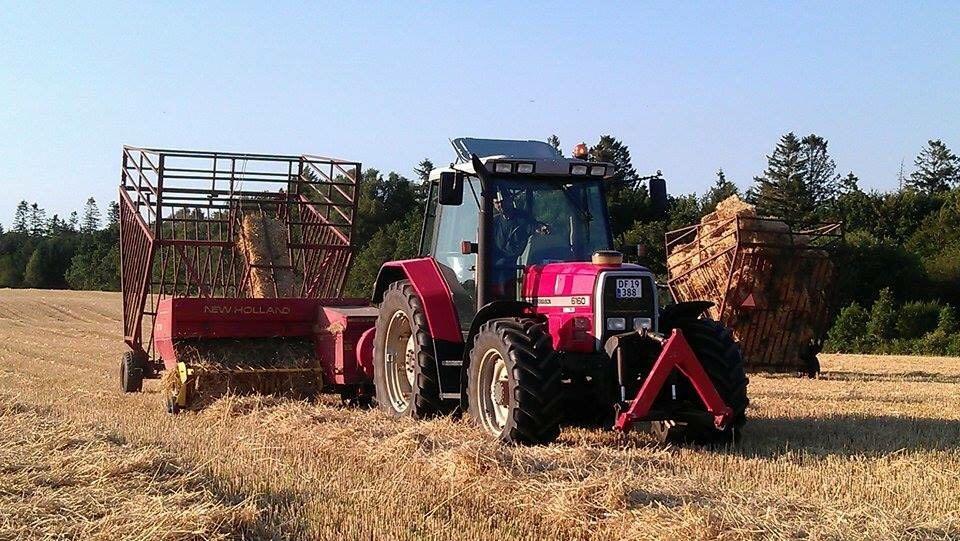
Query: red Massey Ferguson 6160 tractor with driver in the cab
x=520, y=313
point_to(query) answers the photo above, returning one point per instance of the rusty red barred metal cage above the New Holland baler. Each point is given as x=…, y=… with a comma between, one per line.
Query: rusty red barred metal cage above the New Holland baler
x=181, y=212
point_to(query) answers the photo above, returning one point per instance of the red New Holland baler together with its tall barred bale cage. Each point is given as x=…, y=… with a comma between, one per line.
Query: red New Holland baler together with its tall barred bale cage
x=233, y=268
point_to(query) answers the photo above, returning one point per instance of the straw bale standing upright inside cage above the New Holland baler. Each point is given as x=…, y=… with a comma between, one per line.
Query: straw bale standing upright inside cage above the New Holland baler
x=263, y=243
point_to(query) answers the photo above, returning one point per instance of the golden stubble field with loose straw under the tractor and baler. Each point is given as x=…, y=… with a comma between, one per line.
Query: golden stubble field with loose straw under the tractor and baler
x=869, y=451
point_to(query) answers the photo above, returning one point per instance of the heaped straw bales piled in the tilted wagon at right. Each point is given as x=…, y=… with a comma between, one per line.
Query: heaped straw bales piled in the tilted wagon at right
x=767, y=283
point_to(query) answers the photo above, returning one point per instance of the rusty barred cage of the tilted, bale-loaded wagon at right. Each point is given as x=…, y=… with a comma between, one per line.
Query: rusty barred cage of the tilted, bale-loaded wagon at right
x=746, y=243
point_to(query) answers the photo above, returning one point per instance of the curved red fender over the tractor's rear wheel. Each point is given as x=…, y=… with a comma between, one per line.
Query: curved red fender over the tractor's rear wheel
x=424, y=275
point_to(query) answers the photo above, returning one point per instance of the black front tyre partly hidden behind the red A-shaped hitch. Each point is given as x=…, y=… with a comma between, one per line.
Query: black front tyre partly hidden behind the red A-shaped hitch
x=721, y=359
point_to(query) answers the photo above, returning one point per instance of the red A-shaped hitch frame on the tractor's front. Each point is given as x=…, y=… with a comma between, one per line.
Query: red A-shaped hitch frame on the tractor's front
x=676, y=353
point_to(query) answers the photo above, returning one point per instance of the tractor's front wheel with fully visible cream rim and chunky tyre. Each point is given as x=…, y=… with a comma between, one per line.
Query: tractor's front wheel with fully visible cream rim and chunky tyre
x=514, y=389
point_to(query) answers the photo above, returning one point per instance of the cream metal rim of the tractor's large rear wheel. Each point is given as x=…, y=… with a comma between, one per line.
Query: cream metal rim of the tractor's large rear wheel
x=400, y=360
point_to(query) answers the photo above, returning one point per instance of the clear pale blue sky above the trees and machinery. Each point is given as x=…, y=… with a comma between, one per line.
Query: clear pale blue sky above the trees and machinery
x=689, y=88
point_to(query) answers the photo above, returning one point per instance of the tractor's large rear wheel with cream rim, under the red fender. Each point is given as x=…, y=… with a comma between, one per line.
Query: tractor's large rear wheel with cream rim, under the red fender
x=404, y=363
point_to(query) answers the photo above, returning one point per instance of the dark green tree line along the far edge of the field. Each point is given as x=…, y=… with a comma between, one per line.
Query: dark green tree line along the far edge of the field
x=905, y=241
